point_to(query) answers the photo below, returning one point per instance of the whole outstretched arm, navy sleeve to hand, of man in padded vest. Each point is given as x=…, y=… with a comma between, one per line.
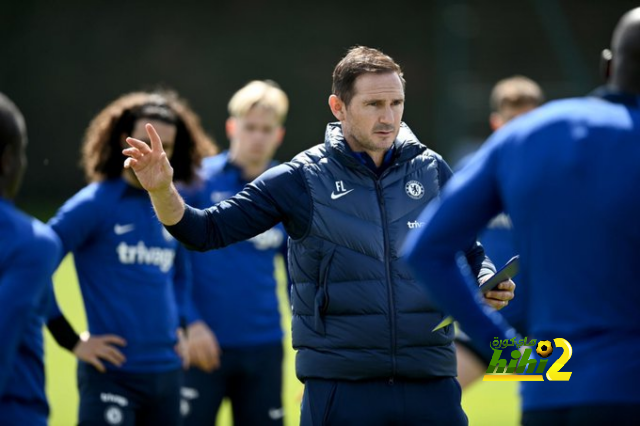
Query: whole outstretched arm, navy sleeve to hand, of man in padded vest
x=278, y=195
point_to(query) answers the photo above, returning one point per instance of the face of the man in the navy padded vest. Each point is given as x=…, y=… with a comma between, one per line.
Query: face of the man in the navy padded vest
x=371, y=121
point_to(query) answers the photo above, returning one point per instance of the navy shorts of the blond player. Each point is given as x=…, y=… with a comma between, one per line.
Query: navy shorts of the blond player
x=250, y=377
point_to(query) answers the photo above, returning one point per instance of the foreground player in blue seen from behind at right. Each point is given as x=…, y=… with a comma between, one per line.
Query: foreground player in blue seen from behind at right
x=567, y=174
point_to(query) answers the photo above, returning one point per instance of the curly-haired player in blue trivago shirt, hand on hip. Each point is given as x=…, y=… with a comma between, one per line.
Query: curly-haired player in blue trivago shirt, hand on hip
x=133, y=275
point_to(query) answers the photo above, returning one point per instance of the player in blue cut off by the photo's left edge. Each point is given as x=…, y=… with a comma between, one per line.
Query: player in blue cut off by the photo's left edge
x=28, y=257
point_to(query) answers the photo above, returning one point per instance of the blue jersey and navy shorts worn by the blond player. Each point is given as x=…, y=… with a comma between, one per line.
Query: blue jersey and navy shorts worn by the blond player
x=234, y=293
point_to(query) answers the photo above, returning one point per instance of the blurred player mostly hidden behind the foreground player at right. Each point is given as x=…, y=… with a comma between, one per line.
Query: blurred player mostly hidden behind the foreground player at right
x=510, y=98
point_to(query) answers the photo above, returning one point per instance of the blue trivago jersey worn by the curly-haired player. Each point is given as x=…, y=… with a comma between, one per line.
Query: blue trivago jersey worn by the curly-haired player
x=125, y=261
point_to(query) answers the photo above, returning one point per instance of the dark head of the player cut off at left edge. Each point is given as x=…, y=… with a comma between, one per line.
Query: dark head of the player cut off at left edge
x=12, y=145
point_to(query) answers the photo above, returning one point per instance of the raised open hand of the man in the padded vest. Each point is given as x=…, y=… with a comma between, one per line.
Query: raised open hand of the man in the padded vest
x=149, y=162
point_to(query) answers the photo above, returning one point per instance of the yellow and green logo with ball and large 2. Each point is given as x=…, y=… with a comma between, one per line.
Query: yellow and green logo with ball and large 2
x=521, y=368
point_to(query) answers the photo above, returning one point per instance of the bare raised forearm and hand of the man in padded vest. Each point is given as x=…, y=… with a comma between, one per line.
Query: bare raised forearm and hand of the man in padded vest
x=155, y=174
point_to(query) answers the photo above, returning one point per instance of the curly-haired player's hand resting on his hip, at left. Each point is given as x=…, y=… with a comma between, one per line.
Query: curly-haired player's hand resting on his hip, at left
x=95, y=349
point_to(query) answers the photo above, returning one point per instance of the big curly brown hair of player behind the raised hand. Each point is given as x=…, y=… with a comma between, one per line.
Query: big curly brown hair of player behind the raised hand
x=102, y=156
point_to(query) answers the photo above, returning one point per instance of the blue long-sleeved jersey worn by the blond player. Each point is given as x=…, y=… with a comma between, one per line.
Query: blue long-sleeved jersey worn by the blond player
x=234, y=289
